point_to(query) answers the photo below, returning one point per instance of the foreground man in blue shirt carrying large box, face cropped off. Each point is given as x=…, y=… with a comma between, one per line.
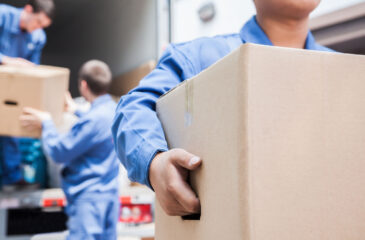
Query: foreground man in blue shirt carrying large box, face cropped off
x=137, y=132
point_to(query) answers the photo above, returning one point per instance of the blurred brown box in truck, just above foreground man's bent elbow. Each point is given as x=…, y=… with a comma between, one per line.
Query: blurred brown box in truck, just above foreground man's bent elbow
x=122, y=84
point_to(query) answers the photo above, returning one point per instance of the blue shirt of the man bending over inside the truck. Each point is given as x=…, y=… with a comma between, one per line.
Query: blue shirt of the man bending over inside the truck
x=15, y=42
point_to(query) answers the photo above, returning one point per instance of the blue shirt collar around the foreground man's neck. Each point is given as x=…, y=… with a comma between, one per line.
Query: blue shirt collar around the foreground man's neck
x=253, y=33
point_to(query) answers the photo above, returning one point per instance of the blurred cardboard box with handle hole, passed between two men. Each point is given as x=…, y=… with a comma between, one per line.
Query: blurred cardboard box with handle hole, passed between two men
x=41, y=87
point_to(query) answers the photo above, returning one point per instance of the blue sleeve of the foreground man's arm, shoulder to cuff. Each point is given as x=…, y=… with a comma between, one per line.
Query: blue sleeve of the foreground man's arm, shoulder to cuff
x=137, y=132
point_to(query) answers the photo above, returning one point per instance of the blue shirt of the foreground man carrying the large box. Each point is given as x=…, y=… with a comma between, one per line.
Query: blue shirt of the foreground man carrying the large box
x=137, y=132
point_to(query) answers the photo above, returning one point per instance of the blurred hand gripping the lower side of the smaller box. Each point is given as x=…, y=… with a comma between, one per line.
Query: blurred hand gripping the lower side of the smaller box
x=32, y=119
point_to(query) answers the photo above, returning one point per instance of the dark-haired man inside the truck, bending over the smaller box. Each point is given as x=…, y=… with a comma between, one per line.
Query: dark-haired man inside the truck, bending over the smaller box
x=22, y=39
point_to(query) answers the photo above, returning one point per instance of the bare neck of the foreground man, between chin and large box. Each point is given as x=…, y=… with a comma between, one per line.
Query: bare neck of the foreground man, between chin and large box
x=285, y=33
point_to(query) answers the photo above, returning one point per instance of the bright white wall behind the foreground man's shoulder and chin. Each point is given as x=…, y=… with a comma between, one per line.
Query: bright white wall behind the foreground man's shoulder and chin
x=230, y=16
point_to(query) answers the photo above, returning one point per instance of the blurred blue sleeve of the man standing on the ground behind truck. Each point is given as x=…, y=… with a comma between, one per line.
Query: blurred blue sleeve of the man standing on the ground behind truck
x=64, y=148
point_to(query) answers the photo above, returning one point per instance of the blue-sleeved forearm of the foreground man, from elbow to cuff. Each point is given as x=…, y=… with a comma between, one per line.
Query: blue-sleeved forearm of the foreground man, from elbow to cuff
x=138, y=136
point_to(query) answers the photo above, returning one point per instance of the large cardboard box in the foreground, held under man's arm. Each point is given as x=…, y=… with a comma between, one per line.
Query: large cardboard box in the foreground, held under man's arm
x=282, y=136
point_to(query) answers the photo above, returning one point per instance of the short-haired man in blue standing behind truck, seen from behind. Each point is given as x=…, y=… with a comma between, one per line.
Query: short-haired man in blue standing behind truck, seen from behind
x=89, y=175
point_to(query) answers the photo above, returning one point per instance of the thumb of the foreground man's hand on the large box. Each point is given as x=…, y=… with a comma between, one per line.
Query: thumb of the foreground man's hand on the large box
x=185, y=159
